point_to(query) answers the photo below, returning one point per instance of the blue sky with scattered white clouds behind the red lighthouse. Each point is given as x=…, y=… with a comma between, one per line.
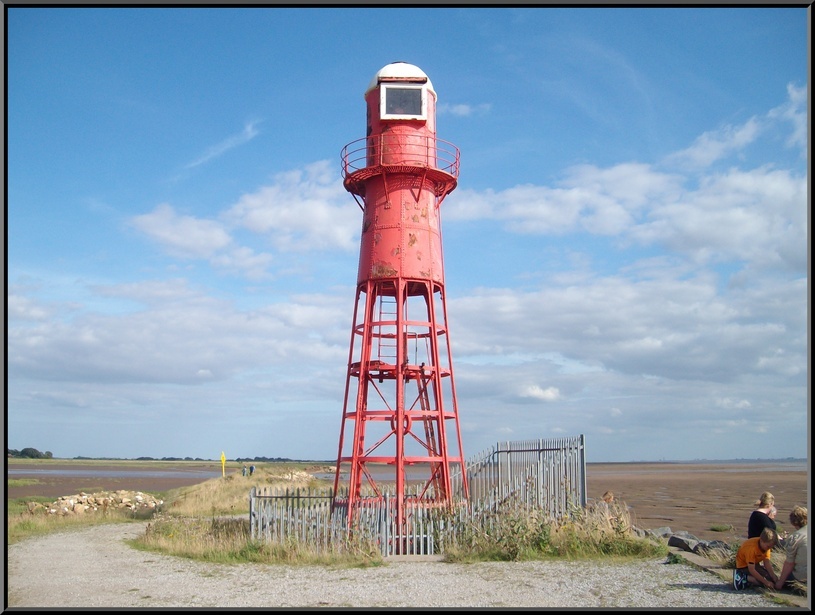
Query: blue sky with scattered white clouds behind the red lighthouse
x=626, y=253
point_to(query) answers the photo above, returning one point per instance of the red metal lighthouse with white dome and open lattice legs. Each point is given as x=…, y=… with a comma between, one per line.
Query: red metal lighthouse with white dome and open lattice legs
x=400, y=422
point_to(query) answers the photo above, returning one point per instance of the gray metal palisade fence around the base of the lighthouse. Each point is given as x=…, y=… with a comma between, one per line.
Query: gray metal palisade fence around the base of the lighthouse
x=546, y=475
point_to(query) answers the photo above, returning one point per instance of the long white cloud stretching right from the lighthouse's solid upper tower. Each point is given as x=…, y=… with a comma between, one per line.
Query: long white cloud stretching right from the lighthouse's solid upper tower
x=756, y=216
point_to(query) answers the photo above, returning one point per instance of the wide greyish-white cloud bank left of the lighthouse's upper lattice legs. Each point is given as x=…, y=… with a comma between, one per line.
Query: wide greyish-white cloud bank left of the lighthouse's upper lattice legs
x=177, y=335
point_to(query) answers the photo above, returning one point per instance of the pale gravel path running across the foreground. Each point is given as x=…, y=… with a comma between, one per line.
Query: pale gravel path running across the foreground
x=93, y=567
